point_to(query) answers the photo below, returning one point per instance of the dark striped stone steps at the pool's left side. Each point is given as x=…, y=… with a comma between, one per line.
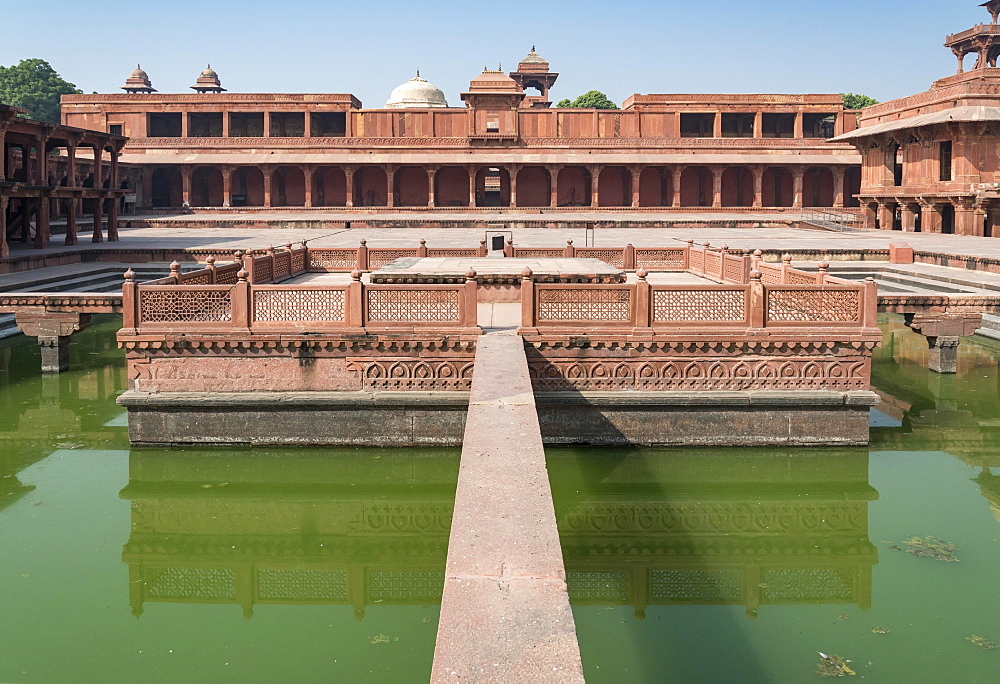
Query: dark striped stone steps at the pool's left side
x=75, y=278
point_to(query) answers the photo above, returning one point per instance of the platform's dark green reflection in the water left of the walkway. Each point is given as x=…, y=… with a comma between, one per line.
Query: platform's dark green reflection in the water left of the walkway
x=306, y=527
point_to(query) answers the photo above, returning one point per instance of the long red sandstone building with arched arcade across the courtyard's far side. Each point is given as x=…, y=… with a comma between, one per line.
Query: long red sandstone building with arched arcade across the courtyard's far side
x=505, y=147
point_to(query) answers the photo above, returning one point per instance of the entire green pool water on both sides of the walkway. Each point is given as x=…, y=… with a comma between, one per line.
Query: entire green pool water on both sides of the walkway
x=687, y=565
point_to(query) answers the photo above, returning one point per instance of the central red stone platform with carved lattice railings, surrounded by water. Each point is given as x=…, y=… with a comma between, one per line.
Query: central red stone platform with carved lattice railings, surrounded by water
x=686, y=344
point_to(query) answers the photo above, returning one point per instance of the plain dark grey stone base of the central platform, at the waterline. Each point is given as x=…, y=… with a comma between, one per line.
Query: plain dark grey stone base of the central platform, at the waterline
x=395, y=419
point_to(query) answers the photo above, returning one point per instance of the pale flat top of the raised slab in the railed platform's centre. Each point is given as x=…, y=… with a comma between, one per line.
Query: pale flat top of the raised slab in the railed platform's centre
x=495, y=269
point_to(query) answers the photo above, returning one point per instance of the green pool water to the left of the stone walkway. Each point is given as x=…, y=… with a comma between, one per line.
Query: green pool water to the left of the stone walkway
x=218, y=565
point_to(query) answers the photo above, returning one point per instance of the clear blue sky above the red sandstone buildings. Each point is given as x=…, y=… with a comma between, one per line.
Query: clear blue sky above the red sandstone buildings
x=884, y=48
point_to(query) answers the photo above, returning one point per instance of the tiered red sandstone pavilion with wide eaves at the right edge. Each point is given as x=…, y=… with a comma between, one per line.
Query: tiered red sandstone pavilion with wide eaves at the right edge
x=930, y=161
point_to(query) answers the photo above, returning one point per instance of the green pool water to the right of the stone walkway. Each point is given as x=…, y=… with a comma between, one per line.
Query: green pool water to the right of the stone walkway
x=742, y=565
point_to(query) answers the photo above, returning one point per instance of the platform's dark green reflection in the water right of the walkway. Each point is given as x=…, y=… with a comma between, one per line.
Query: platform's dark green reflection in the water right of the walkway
x=733, y=527
